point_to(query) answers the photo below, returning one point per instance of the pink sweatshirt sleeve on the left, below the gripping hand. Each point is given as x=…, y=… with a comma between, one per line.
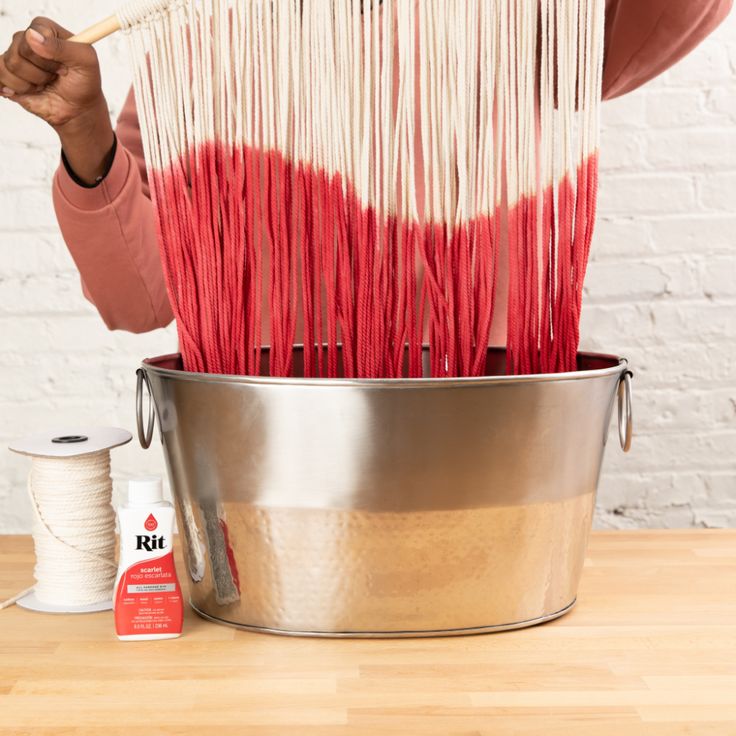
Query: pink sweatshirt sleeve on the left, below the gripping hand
x=111, y=235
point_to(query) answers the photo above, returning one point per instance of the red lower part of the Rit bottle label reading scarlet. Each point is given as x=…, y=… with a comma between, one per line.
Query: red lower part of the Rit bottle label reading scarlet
x=148, y=598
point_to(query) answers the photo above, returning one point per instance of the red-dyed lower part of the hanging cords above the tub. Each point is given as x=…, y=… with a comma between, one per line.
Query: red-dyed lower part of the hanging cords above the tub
x=364, y=283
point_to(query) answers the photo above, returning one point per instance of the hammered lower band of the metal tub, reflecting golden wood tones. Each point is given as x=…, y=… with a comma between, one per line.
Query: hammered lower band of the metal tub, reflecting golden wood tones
x=335, y=571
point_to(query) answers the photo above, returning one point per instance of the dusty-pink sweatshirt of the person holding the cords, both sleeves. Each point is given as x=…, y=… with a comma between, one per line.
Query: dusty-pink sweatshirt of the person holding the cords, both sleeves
x=110, y=229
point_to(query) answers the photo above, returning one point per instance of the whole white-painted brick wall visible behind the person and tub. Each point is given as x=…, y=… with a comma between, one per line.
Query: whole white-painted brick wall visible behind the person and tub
x=661, y=290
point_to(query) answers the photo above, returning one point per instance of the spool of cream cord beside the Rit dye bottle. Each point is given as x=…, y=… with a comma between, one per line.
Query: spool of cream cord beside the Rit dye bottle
x=74, y=522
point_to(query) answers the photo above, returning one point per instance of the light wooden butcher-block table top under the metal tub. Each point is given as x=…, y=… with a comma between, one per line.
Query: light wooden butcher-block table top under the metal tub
x=649, y=649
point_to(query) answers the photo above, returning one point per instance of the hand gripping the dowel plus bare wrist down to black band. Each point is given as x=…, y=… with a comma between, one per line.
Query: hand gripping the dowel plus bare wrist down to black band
x=59, y=81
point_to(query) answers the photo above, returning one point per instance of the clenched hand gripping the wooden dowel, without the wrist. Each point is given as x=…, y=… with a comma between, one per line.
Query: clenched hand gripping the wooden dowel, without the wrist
x=55, y=79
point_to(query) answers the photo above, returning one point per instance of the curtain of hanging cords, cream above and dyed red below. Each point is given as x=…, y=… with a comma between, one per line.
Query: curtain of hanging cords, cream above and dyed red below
x=354, y=175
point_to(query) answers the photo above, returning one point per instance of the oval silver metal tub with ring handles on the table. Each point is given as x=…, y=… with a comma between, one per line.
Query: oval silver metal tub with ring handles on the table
x=409, y=507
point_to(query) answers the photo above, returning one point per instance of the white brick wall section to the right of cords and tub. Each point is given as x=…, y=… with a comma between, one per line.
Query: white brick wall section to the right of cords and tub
x=662, y=290
